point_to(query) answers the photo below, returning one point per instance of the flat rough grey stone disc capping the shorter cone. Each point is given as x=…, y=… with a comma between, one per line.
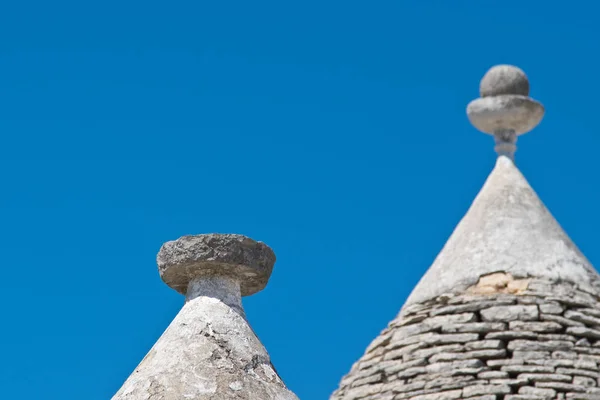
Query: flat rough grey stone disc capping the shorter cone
x=236, y=256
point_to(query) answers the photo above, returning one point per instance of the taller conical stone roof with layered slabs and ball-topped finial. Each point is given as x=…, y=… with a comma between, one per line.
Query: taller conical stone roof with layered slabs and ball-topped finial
x=510, y=308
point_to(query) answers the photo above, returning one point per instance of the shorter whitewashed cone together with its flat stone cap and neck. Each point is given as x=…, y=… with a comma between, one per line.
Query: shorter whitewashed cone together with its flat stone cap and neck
x=210, y=351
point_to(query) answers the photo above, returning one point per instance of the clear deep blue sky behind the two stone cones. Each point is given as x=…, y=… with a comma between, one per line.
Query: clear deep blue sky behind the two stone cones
x=333, y=131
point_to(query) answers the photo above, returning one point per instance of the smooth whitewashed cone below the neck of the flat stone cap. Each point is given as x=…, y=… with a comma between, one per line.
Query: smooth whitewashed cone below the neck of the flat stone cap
x=206, y=338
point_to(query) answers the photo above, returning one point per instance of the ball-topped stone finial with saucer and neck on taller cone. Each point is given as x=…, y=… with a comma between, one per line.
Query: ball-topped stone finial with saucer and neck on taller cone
x=505, y=109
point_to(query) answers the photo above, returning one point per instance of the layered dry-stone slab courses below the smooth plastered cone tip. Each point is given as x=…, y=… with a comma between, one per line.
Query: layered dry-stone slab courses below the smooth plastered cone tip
x=540, y=341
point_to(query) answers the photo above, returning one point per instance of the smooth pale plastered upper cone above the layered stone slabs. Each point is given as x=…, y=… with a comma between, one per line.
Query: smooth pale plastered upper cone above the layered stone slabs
x=506, y=229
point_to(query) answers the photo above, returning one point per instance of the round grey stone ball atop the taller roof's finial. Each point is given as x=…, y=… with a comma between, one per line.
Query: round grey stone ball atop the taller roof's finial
x=503, y=80
